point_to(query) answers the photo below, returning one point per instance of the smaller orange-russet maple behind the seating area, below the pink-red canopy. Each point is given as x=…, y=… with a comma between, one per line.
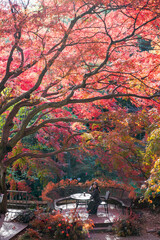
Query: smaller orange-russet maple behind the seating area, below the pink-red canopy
x=124, y=144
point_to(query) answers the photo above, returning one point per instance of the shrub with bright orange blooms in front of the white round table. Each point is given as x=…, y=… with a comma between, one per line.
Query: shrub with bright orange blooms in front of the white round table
x=56, y=226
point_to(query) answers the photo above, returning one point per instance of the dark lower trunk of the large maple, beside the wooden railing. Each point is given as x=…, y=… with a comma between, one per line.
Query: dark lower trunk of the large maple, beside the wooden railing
x=3, y=189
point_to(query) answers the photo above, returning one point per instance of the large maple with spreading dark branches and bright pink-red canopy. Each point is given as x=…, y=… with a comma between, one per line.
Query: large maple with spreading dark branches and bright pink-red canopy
x=64, y=62
